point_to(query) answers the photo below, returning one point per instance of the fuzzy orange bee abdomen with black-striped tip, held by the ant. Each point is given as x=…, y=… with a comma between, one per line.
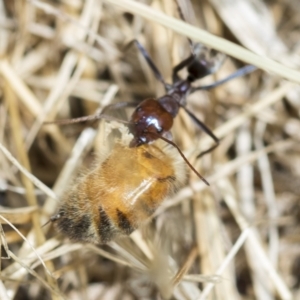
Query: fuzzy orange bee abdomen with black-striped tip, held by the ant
x=120, y=193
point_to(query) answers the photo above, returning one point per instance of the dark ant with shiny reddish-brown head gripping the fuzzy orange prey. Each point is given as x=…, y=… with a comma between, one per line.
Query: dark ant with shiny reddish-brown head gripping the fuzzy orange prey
x=152, y=118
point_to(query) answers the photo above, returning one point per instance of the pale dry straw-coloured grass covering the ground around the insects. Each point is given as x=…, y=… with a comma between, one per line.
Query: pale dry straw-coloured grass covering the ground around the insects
x=237, y=239
